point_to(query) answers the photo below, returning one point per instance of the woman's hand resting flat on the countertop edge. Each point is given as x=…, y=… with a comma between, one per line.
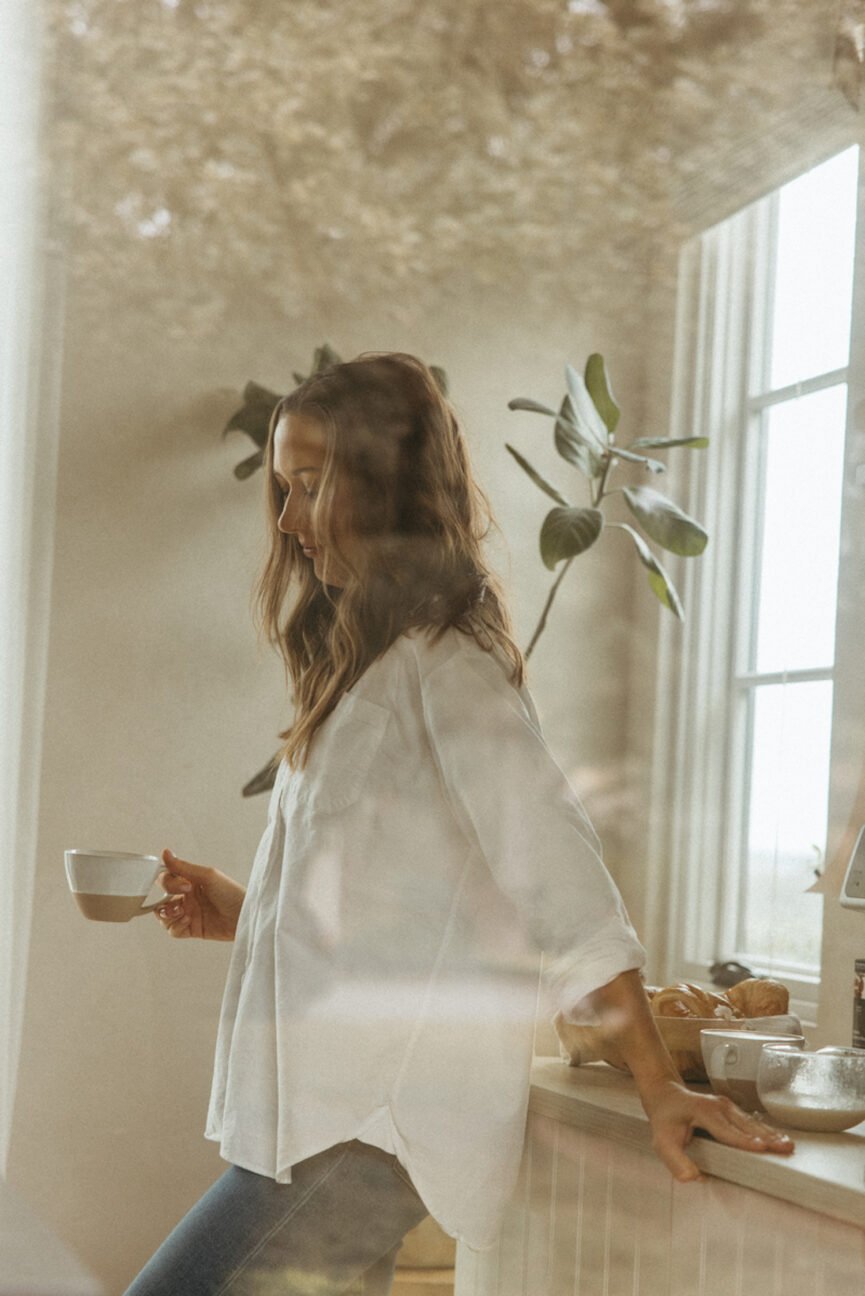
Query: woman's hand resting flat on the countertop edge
x=675, y=1113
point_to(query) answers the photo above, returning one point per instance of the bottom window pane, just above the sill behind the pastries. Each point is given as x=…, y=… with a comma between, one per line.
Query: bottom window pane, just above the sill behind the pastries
x=787, y=831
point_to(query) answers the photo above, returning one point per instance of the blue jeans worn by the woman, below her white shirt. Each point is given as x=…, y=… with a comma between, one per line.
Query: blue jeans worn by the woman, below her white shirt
x=335, y=1229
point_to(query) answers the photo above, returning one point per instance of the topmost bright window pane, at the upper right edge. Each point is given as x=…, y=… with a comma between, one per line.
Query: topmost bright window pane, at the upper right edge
x=815, y=272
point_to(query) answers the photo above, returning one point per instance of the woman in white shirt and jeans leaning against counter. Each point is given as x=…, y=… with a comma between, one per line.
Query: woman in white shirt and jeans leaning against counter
x=422, y=848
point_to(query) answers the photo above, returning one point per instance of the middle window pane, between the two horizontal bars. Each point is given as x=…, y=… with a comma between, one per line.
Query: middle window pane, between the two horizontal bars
x=798, y=579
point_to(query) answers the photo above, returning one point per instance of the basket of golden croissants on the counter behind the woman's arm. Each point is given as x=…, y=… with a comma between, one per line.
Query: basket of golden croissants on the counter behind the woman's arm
x=681, y=1012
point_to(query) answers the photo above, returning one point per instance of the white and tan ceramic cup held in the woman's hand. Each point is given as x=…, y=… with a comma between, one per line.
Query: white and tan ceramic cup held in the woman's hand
x=112, y=886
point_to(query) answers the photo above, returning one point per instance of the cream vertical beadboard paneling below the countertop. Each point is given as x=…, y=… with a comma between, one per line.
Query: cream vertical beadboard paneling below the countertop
x=595, y=1218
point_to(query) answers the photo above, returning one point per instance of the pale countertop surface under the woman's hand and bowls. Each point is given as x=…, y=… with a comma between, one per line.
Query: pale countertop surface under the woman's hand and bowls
x=827, y=1172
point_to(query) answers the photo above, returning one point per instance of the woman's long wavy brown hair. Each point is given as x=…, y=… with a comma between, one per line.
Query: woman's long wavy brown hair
x=417, y=516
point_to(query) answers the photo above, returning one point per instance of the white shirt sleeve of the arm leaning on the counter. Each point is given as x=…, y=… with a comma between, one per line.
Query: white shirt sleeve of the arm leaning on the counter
x=515, y=803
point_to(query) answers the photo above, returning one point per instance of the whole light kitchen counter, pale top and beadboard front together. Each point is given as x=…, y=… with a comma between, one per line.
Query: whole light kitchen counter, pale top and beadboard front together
x=597, y=1214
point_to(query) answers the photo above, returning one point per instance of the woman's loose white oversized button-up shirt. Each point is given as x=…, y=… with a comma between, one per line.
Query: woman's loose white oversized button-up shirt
x=385, y=978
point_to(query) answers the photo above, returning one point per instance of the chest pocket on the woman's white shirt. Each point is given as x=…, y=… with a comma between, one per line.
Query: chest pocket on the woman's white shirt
x=342, y=755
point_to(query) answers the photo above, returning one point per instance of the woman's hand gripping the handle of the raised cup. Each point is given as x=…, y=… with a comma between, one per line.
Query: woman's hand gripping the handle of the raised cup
x=207, y=903
